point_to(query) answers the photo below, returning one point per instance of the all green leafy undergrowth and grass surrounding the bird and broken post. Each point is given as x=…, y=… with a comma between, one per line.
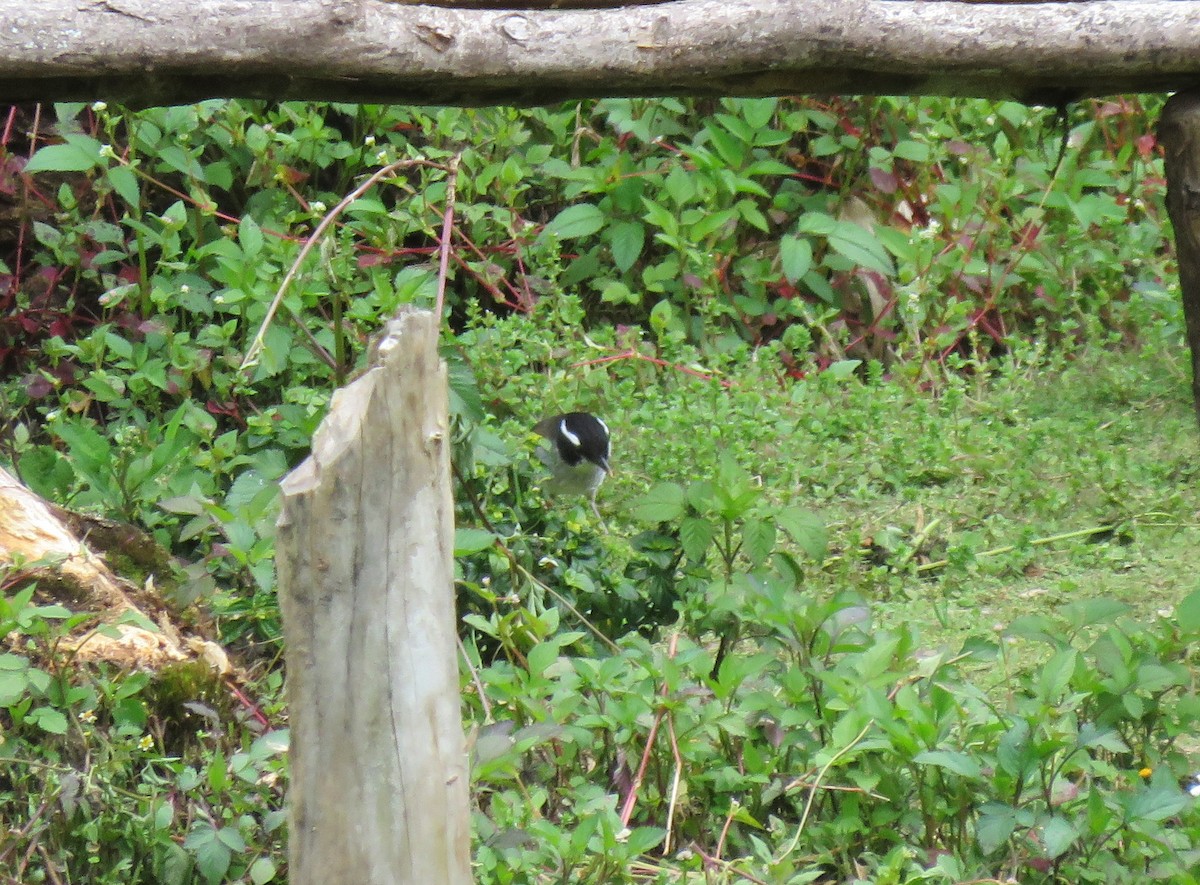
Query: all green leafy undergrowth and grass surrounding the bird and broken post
x=893, y=582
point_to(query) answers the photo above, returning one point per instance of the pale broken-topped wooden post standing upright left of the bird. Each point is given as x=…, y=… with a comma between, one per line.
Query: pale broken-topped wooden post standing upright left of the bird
x=365, y=562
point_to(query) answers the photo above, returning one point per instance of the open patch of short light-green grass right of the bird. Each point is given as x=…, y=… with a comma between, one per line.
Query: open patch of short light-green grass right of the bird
x=944, y=507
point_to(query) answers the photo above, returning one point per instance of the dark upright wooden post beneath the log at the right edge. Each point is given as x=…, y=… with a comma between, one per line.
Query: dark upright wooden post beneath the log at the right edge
x=1179, y=131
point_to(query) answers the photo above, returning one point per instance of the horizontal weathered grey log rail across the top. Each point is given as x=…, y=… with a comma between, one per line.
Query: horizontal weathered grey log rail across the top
x=163, y=52
